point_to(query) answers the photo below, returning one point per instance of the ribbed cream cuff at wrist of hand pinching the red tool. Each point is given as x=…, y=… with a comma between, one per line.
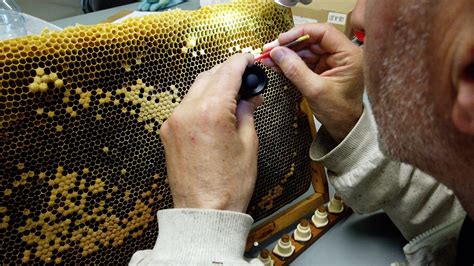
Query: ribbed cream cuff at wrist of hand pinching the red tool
x=340, y=158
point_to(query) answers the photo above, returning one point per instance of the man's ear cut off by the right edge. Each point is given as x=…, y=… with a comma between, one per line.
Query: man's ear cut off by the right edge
x=463, y=110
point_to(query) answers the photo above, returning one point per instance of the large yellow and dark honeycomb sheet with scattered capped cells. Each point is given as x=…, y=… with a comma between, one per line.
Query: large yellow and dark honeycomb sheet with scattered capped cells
x=82, y=166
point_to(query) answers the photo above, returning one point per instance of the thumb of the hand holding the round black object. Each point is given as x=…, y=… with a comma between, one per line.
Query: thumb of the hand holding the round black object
x=246, y=123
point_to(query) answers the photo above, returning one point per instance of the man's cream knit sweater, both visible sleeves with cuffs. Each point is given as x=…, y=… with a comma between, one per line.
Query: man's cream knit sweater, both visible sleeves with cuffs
x=424, y=210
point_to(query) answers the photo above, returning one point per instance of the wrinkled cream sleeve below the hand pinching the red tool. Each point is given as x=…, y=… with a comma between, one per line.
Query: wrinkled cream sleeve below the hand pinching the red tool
x=368, y=181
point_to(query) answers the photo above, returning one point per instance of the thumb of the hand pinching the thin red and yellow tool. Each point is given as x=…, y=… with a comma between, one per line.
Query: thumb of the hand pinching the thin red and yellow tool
x=296, y=70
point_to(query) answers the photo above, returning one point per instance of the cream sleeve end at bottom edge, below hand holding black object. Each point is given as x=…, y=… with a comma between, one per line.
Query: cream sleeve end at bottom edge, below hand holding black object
x=198, y=237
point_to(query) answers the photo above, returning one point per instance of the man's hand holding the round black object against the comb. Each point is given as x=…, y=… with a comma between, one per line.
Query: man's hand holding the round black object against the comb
x=210, y=142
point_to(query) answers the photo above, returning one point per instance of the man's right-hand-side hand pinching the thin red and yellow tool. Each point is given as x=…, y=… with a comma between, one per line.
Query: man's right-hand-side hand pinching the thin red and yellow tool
x=327, y=69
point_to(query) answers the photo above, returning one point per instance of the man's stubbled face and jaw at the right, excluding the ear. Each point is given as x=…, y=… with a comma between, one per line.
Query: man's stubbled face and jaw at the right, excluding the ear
x=410, y=53
